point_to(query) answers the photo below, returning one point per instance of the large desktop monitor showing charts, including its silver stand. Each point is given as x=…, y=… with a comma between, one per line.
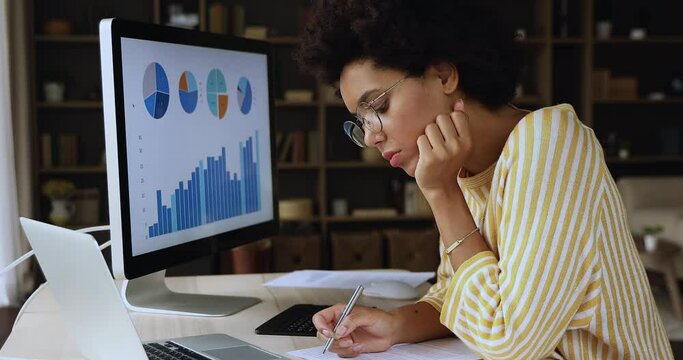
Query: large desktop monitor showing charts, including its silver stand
x=189, y=152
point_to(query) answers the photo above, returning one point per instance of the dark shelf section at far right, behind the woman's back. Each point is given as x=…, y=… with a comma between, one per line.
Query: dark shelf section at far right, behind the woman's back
x=638, y=123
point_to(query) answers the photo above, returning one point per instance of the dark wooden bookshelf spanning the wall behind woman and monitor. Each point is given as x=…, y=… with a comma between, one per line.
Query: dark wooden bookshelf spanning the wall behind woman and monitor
x=561, y=53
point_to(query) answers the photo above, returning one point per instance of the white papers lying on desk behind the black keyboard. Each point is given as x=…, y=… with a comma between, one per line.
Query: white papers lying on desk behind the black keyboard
x=346, y=279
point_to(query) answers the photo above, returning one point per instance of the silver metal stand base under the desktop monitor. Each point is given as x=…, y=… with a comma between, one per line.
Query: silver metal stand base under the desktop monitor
x=149, y=294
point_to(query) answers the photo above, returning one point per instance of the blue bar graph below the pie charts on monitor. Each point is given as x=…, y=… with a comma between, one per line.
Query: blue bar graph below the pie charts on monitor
x=212, y=193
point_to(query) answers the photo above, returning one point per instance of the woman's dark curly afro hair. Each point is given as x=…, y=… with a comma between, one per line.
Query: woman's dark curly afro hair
x=410, y=35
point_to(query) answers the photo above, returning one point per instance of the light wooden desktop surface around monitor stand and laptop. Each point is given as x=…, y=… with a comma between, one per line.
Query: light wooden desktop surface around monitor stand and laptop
x=39, y=331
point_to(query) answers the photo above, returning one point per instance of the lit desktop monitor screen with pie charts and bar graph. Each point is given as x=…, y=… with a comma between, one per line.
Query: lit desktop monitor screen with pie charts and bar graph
x=198, y=125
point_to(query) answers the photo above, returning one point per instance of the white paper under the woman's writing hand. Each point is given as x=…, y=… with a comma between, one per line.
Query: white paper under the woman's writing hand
x=441, y=349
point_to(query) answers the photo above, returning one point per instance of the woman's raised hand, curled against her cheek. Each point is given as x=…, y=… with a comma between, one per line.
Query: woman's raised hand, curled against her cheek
x=443, y=149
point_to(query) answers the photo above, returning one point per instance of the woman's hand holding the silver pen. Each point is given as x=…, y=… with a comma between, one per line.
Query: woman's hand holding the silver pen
x=364, y=330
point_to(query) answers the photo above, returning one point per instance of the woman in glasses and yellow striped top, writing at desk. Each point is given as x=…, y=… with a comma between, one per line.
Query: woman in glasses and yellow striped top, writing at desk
x=537, y=258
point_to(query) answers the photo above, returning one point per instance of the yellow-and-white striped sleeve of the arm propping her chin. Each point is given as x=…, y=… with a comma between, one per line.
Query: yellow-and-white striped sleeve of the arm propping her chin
x=547, y=279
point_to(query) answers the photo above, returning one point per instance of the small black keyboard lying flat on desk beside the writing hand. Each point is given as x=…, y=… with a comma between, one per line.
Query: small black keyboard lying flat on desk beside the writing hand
x=295, y=321
